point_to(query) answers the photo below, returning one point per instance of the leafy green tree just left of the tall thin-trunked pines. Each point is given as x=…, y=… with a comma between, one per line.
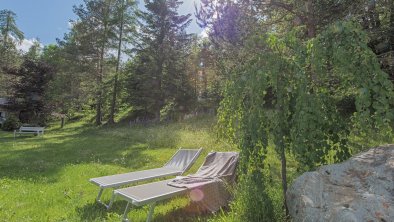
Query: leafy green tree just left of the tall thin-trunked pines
x=68, y=91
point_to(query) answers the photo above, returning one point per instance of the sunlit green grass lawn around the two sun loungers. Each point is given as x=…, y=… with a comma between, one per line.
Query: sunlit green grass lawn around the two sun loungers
x=46, y=178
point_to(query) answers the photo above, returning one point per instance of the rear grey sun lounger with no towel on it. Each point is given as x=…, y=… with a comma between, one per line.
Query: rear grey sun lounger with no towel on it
x=182, y=160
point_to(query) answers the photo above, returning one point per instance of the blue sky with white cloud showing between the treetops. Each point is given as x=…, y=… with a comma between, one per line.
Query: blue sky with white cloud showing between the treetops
x=47, y=20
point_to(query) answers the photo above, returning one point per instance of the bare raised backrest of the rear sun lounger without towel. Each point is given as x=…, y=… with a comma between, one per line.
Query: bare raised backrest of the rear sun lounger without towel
x=183, y=159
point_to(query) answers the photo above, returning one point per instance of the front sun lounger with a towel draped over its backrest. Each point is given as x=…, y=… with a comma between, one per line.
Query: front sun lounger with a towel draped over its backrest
x=215, y=167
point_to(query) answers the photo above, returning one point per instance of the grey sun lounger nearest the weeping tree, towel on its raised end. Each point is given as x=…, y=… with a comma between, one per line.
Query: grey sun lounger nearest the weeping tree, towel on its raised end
x=151, y=193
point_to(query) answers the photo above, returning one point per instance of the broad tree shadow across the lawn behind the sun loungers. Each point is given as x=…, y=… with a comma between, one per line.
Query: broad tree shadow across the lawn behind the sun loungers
x=37, y=157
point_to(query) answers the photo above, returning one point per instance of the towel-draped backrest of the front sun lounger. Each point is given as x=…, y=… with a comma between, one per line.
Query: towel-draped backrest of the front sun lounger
x=218, y=164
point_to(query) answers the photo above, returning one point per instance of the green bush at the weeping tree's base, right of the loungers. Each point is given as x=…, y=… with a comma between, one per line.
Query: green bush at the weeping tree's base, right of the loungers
x=258, y=195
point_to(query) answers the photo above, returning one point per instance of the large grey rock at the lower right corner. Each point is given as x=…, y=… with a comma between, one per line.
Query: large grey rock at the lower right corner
x=359, y=189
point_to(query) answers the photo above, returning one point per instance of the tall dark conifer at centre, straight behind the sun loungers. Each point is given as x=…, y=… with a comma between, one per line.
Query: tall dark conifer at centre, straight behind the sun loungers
x=162, y=49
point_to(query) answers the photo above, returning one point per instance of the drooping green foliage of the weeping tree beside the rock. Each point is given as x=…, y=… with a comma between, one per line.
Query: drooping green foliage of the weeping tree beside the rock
x=308, y=80
